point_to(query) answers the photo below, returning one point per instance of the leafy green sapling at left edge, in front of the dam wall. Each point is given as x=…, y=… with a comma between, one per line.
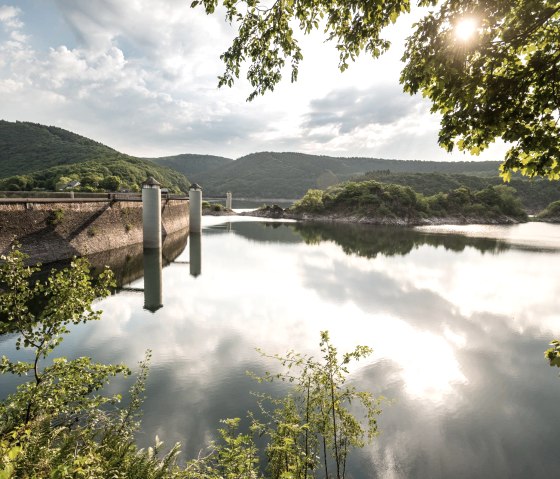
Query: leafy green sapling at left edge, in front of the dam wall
x=64, y=298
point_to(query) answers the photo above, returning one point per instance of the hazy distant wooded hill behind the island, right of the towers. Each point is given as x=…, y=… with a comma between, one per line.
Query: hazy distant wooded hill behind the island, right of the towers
x=290, y=175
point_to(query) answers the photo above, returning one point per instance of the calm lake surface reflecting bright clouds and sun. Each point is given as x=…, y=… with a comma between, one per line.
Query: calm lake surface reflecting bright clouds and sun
x=458, y=319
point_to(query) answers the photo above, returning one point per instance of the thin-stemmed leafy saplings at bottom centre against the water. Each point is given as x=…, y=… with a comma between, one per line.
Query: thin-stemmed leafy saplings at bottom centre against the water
x=313, y=428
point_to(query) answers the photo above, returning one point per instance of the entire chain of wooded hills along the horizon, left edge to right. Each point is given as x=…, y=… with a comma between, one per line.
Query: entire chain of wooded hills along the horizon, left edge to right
x=34, y=150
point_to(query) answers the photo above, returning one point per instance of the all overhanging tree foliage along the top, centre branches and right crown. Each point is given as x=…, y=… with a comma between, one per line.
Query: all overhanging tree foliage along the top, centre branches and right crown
x=502, y=82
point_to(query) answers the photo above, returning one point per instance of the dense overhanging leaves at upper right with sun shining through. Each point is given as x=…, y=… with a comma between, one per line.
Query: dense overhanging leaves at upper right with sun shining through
x=503, y=83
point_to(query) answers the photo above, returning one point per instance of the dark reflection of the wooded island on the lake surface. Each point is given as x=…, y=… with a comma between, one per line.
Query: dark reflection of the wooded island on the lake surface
x=369, y=241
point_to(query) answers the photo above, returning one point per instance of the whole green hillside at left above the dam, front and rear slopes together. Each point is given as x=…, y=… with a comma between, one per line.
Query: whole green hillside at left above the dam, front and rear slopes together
x=34, y=156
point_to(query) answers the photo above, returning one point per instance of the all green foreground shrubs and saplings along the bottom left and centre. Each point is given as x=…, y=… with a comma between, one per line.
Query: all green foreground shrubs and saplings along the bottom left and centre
x=60, y=424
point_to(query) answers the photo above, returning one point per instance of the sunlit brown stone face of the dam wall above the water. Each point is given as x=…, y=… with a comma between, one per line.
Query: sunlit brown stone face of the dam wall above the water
x=54, y=231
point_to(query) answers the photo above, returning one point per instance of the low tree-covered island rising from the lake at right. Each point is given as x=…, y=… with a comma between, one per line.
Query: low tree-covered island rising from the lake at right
x=388, y=202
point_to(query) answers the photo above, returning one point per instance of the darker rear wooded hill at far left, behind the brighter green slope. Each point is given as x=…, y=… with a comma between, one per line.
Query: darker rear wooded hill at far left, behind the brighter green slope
x=26, y=147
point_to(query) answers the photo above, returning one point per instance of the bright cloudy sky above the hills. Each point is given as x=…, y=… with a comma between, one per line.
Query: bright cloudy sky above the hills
x=141, y=76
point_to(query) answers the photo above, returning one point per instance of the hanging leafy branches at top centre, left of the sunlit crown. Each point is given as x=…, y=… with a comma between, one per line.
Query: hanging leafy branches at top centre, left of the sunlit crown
x=266, y=36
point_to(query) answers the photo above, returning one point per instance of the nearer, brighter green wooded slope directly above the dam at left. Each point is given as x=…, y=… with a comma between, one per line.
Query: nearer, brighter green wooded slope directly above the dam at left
x=114, y=174
